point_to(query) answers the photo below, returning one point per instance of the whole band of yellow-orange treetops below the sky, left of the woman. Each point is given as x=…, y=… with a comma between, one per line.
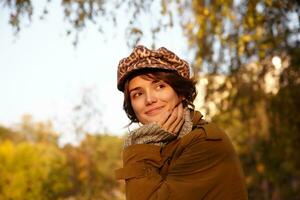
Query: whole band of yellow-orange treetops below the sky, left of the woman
x=34, y=168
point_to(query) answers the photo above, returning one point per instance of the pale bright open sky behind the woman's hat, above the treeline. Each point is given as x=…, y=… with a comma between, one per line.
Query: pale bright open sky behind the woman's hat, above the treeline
x=43, y=75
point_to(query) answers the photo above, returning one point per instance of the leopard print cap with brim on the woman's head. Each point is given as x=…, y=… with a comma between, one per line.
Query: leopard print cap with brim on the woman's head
x=141, y=58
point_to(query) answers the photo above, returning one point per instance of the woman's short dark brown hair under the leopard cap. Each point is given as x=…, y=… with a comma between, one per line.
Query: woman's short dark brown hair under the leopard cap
x=182, y=86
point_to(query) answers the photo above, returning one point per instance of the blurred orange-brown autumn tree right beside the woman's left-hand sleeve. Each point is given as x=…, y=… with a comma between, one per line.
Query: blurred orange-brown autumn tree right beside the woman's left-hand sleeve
x=93, y=164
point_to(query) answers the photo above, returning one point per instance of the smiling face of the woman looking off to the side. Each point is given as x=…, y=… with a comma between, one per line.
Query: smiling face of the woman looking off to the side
x=151, y=99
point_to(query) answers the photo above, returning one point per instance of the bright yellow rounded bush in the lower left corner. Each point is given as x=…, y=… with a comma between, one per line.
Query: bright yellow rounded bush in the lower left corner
x=32, y=171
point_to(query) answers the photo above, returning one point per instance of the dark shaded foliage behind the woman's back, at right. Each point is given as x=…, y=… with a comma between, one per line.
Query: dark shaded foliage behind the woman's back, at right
x=265, y=129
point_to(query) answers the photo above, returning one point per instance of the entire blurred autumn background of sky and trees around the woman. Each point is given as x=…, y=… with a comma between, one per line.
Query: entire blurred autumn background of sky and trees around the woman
x=61, y=118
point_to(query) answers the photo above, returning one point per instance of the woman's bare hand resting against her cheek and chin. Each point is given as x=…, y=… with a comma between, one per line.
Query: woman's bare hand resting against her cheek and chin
x=173, y=120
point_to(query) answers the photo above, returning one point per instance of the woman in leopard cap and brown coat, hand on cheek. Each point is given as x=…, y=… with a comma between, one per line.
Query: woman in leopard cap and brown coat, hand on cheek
x=174, y=154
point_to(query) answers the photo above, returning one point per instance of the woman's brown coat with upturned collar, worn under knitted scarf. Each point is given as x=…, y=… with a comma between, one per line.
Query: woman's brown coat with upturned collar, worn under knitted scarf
x=200, y=165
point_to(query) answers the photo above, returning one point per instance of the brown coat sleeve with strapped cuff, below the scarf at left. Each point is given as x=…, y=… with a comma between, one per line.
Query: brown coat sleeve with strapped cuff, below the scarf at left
x=141, y=171
